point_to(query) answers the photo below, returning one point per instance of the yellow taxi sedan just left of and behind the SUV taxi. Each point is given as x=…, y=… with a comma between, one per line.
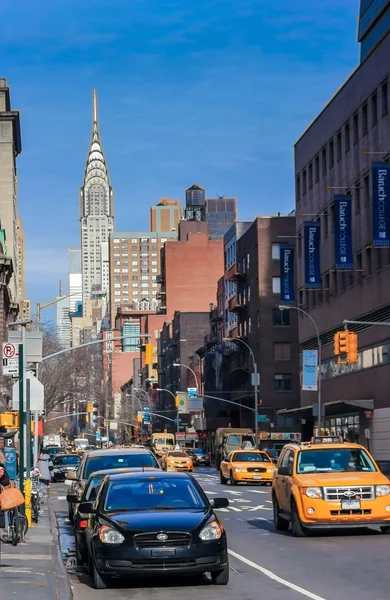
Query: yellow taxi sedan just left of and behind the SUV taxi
x=247, y=466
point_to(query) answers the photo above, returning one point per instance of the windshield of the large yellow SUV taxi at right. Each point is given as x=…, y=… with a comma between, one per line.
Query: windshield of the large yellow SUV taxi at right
x=334, y=459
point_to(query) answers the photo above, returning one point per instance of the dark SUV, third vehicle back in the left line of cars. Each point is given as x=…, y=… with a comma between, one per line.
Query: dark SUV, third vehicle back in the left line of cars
x=101, y=460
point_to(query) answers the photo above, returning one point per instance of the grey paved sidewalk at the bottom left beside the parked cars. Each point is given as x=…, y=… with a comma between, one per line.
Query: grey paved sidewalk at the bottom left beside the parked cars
x=35, y=568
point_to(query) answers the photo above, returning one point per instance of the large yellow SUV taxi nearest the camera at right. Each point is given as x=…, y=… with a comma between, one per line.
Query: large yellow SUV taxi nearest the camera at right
x=328, y=483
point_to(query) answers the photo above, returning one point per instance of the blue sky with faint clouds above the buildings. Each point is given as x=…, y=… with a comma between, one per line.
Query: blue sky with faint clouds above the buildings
x=207, y=91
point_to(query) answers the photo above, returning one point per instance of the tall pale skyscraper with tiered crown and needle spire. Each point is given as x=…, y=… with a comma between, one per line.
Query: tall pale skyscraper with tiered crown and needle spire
x=96, y=215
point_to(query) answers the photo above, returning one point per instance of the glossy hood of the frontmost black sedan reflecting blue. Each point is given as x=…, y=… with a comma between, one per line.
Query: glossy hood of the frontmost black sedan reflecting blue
x=174, y=520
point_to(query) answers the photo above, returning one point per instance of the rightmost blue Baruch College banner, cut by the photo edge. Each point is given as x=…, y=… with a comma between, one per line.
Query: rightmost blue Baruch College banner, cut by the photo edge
x=381, y=204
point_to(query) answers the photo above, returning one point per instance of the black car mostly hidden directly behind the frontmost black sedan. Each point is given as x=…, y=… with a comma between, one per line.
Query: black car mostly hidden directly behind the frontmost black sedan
x=80, y=520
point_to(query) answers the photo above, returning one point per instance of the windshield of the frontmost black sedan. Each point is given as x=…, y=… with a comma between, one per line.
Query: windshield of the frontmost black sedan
x=141, y=494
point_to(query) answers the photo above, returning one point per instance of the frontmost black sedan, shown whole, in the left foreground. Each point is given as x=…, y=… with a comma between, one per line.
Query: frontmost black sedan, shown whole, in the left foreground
x=154, y=524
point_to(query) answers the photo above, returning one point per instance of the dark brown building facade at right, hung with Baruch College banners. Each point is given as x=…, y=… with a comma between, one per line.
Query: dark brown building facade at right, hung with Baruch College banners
x=337, y=150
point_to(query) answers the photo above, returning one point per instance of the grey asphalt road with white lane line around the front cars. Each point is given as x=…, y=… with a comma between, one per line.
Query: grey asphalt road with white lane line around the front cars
x=263, y=563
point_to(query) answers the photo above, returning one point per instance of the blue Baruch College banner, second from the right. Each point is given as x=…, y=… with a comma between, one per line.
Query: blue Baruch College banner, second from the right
x=343, y=232
